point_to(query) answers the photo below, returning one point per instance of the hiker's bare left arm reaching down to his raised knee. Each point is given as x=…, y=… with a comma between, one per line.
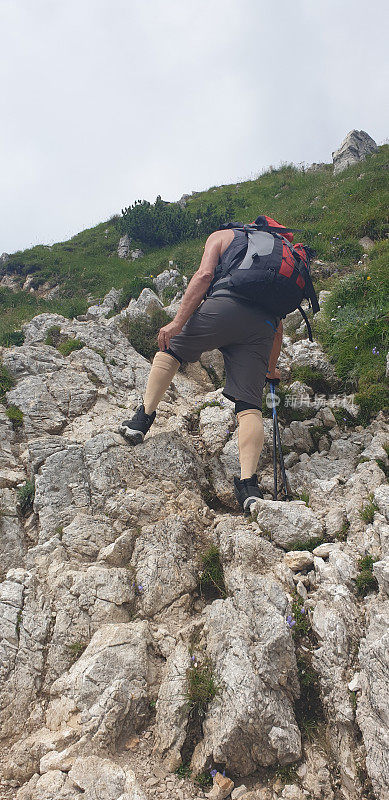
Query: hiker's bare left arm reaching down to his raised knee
x=195, y=292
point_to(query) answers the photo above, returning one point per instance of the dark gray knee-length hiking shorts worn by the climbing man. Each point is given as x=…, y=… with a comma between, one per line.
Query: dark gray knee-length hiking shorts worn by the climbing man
x=244, y=335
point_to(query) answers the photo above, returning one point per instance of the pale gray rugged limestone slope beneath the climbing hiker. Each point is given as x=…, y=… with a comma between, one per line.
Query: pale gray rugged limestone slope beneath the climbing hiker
x=102, y=616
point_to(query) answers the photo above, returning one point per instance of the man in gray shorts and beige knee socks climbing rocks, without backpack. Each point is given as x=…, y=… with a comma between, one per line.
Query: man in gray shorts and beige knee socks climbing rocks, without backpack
x=249, y=339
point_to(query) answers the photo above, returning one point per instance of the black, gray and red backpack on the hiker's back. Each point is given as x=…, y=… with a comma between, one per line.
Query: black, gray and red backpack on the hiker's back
x=263, y=266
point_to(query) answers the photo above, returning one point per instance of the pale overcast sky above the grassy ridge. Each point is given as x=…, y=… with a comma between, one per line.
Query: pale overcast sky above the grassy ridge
x=109, y=101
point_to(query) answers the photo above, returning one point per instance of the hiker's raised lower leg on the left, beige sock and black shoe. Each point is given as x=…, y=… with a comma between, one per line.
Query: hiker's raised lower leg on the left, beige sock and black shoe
x=163, y=370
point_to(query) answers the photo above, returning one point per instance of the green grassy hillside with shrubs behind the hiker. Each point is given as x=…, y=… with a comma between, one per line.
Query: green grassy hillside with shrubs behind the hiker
x=334, y=213
